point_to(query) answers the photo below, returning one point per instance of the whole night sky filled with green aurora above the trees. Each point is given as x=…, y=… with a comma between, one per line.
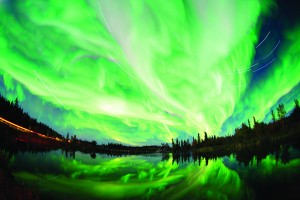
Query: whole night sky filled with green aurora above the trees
x=143, y=72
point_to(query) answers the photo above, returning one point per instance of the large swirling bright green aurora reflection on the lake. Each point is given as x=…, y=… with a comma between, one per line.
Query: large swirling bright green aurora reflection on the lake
x=129, y=177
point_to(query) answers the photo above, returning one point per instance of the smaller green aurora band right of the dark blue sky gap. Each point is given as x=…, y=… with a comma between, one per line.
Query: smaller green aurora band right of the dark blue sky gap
x=282, y=84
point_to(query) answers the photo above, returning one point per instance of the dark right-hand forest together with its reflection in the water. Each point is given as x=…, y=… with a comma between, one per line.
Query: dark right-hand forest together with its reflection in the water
x=247, y=142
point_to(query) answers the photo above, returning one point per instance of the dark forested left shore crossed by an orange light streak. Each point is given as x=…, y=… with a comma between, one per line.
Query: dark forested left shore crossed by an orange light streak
x=15, y=140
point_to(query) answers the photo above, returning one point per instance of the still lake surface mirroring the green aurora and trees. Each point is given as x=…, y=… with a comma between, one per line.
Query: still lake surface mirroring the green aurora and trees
x=156, y=176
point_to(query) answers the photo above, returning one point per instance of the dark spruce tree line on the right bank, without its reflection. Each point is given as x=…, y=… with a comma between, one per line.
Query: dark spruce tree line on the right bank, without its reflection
x=282, y=127
